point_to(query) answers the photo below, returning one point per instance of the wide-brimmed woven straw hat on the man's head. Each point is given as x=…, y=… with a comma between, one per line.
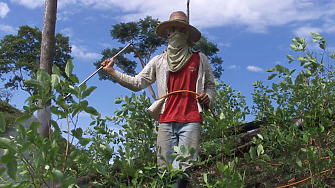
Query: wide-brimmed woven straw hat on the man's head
x=178, y=19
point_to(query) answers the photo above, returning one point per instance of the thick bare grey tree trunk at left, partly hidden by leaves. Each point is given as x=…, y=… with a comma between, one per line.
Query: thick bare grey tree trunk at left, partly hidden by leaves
x=46, y=60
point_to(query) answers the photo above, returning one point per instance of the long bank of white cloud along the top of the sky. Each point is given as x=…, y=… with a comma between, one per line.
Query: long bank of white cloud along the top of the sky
x=255, y=15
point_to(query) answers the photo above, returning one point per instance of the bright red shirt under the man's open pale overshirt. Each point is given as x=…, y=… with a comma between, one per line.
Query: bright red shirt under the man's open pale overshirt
x=182, y=107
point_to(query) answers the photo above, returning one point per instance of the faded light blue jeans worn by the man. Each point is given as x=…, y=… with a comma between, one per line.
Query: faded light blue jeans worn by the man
x=177, y=134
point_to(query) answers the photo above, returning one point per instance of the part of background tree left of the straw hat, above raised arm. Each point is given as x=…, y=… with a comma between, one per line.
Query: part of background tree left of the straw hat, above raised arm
x=145, y=42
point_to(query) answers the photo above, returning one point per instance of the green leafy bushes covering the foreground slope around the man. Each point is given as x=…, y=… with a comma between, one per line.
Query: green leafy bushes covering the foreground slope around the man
x=295, y=140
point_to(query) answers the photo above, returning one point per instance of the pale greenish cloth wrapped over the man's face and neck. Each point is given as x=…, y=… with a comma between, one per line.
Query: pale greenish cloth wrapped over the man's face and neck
x=178, y=52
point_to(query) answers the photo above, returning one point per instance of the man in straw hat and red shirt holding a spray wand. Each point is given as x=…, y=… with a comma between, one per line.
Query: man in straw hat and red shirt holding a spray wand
x=178, y=68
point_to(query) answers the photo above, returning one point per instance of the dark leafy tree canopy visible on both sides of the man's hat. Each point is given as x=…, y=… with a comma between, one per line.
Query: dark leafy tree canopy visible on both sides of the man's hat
x=146, y=42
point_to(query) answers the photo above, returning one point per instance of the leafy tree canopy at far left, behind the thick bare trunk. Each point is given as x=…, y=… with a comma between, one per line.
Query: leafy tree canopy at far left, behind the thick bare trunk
x=20, y=55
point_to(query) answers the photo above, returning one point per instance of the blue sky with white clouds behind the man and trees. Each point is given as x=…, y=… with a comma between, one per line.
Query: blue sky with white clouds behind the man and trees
x=252, y=35
